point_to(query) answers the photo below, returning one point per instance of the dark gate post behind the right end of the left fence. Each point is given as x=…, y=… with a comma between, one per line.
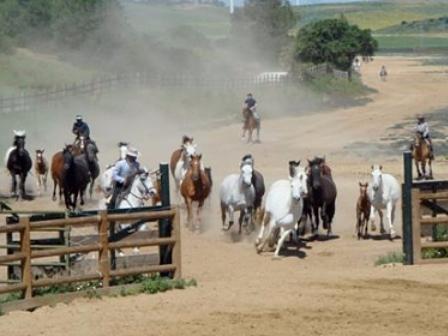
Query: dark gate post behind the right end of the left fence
x=165, y=251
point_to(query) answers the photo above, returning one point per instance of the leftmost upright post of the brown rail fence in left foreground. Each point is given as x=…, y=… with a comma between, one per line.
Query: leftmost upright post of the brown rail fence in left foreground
x=25, y=248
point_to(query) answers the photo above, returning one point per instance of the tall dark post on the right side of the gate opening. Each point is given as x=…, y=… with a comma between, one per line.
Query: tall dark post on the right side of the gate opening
x=407, y=210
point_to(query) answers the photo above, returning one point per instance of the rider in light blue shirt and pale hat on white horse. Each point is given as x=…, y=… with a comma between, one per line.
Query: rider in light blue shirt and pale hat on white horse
x=122, y=170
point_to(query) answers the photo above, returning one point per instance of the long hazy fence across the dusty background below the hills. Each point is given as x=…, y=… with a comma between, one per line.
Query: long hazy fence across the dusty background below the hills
x=108, y=84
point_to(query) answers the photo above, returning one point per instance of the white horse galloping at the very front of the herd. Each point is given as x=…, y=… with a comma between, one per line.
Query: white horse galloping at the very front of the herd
x=283, y=209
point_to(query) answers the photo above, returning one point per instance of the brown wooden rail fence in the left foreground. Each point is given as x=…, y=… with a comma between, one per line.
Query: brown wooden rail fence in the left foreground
x=103, y=246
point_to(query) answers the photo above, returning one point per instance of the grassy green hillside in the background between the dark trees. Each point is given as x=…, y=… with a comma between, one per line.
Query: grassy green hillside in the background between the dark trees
x=33, y=71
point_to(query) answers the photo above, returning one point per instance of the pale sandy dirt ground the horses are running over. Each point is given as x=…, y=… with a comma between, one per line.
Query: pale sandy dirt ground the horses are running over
x=326, y=288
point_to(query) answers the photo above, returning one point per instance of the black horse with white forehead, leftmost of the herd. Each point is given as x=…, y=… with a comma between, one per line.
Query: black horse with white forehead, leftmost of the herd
x=18, y=162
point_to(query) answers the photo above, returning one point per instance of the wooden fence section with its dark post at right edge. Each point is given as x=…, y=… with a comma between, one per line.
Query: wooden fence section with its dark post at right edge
x=424, y=205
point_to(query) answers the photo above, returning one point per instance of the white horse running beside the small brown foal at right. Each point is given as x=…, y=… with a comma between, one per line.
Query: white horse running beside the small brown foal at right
x=384, y=192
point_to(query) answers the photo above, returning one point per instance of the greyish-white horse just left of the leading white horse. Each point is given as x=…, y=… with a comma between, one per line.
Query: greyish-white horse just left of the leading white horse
x=237, y=193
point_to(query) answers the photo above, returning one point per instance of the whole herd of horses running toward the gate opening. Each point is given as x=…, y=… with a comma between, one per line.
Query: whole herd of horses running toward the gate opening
x=307, y=194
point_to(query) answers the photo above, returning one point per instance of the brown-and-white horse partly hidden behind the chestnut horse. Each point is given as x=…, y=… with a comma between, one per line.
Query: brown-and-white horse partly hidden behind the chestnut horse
x=180, y=161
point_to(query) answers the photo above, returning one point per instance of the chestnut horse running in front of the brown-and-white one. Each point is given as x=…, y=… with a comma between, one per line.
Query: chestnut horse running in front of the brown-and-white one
x=195, y=187
